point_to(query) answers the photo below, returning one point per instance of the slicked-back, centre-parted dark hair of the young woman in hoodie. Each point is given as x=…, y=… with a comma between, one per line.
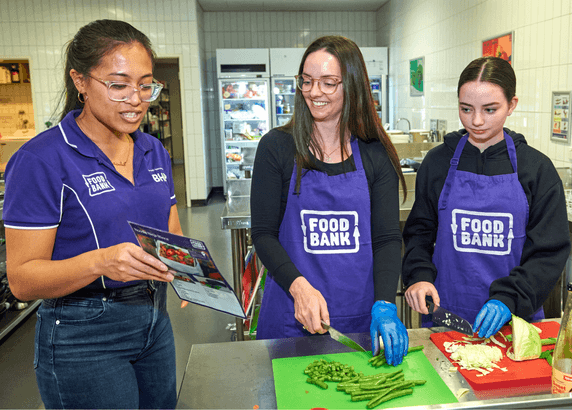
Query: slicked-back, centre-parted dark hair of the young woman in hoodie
x=493, y=70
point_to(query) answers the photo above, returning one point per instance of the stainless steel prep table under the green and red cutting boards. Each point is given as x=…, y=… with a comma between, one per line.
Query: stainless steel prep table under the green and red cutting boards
x=239, y=375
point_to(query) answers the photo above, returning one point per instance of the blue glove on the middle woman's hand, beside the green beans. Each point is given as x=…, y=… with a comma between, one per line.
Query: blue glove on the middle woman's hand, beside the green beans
x=385, y=323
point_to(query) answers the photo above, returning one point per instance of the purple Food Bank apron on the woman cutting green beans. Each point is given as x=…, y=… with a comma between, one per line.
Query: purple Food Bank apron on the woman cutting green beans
x=326, y=231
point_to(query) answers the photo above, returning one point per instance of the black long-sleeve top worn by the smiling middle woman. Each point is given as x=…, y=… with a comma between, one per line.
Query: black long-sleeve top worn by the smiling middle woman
x=272, y=172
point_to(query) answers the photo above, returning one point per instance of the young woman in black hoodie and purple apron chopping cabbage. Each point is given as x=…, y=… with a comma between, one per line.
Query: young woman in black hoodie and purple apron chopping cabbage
x=487, y=236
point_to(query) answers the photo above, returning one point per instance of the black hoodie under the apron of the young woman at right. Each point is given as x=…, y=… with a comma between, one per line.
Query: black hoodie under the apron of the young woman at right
x=547, y=244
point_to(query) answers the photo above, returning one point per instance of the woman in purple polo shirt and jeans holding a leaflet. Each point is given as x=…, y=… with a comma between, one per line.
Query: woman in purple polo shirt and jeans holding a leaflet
x=103, y=335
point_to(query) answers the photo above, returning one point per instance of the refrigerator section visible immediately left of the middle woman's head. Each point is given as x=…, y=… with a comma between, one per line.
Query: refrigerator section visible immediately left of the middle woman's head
x=284, y=65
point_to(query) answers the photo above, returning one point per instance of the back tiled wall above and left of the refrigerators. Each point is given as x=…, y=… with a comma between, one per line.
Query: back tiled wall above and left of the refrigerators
x=270, y=30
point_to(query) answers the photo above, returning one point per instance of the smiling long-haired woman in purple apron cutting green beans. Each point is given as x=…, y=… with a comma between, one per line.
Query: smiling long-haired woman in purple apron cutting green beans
x=325, y=208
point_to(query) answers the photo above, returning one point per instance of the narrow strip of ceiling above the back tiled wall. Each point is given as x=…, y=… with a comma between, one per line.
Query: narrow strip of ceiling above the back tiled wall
x=291, y=5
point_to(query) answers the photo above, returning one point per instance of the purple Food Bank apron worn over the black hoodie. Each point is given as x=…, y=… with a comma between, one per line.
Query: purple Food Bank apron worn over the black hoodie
x=481, y=233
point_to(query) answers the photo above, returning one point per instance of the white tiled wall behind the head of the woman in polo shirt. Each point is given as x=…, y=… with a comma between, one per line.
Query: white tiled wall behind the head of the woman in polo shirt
x=38, y=29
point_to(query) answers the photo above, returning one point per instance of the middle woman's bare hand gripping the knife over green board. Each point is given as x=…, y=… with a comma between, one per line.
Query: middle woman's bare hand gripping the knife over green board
x=310, y=307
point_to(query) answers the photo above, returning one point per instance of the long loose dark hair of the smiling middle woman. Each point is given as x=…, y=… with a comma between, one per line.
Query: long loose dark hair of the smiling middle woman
x=358, y=110
